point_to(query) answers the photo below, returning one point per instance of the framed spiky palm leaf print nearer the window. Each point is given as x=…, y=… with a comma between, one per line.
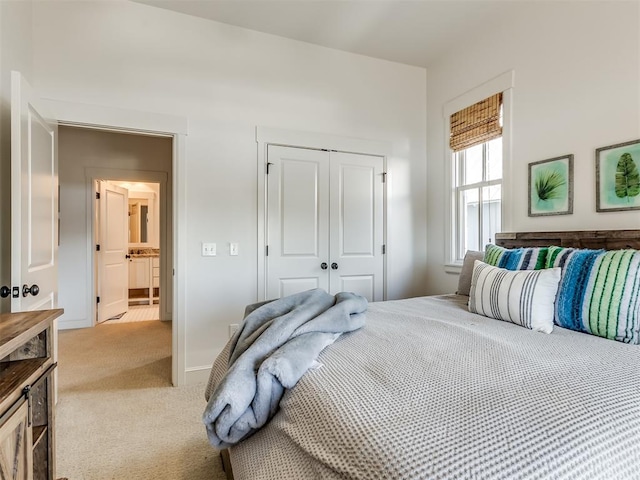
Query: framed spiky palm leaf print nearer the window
x=551, y=186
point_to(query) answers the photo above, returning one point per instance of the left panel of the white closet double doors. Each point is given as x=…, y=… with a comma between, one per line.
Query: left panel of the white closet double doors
x=298, y=220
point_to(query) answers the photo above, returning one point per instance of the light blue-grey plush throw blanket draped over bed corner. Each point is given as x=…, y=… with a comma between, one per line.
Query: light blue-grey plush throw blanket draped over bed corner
x=276, y=344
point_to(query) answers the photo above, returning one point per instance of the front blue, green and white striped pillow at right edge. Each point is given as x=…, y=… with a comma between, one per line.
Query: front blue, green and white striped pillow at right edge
x=599, y=292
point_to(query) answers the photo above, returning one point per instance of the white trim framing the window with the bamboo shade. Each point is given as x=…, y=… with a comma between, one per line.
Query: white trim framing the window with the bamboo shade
x=502, y=83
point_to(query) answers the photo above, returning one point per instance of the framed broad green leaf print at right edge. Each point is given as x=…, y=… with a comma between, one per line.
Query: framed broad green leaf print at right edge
x=618, y=177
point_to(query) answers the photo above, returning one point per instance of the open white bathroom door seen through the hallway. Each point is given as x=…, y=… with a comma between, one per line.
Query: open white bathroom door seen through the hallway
x=113, y=238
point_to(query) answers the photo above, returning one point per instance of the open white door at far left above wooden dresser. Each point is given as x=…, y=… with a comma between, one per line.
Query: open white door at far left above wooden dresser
x=34, y=202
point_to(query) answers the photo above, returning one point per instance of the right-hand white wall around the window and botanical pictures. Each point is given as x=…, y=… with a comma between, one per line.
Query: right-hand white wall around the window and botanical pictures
x=577, y=88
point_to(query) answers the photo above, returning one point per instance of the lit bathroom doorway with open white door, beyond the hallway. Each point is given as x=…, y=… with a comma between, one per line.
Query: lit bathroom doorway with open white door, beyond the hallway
x=127, y=262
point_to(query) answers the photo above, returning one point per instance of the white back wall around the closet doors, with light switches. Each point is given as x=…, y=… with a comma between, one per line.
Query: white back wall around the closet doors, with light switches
x=227, y=81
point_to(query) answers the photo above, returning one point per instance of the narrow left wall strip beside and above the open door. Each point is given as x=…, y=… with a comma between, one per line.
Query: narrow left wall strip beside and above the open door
x=15, y=54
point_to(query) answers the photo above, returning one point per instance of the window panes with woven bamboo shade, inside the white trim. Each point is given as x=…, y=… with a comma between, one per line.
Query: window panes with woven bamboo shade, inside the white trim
x=476, y=144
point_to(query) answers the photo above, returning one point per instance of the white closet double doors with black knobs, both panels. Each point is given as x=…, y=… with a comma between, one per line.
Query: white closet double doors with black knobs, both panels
x=325, y=222
